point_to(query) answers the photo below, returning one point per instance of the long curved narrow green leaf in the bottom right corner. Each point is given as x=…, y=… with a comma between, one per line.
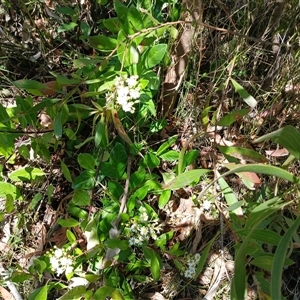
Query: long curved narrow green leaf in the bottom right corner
x=279, y=259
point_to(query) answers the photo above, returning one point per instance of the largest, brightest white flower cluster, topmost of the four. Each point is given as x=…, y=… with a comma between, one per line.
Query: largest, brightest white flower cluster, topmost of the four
x=125, y=92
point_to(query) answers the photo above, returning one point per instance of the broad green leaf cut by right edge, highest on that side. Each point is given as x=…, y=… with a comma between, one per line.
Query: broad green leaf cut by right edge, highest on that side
x=287, y=137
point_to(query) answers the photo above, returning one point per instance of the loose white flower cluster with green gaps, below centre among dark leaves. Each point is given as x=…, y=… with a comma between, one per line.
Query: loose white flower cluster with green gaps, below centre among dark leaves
x=142, y=229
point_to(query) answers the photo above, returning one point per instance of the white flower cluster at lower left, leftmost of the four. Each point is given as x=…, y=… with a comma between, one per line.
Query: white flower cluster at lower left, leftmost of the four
x=60, y=261
